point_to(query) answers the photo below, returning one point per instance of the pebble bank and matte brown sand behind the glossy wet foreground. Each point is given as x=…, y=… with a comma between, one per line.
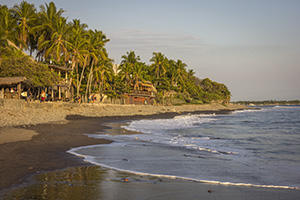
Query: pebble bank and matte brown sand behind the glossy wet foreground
x=46, y=144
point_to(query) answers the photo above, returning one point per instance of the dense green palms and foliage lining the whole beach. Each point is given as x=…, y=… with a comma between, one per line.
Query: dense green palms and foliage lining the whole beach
x=48, y=35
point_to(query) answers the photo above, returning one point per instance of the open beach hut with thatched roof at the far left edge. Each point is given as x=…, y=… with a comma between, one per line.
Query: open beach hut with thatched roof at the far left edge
x=11, y=87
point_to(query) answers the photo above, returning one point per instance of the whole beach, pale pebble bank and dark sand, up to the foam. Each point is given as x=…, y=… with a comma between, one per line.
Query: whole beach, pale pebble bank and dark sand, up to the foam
x=32, y=147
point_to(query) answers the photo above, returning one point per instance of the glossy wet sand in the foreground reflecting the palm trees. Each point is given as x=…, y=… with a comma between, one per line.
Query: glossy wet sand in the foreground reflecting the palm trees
x=93, y=182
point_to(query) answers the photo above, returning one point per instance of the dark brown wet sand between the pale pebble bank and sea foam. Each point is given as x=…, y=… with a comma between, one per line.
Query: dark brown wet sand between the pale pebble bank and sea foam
x=69, y=177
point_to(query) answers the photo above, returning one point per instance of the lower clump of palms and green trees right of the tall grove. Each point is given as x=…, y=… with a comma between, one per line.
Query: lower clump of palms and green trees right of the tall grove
x=171, y=77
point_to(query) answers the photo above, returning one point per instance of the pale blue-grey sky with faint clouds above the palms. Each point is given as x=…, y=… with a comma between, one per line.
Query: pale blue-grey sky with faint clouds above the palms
x=253, y=46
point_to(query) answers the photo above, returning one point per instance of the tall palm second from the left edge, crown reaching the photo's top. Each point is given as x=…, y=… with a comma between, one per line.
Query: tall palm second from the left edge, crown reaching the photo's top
x=25, y=14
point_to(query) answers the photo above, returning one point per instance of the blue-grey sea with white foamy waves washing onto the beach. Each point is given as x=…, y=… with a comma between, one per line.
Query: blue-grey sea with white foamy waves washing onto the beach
x=251, y=147
